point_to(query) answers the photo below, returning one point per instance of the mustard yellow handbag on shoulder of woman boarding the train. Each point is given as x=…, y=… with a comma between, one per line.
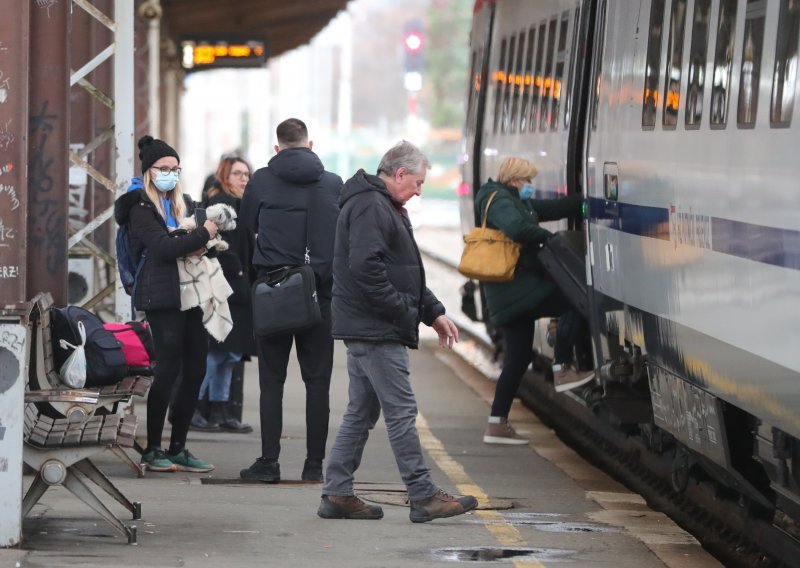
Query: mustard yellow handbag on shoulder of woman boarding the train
x=489, y=255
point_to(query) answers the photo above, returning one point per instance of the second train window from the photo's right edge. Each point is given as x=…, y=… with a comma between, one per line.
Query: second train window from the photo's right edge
x=752, y=46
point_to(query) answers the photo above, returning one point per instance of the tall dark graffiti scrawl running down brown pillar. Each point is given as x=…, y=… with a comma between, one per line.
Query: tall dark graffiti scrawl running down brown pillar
x=44, y=209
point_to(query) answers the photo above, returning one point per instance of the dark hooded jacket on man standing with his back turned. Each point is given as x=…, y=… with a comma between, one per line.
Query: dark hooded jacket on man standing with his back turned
x=275, y=207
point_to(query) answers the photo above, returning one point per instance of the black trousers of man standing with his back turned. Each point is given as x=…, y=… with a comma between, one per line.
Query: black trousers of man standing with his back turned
x=315, y=354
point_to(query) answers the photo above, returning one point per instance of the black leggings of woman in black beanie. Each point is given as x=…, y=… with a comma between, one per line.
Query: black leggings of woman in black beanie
x=181, y=342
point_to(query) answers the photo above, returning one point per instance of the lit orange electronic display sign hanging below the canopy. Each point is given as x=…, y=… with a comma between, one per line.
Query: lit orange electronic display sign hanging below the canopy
x=199, y=54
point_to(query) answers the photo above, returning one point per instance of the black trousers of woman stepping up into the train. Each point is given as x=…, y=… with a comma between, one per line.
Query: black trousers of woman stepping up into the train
x=518, y=335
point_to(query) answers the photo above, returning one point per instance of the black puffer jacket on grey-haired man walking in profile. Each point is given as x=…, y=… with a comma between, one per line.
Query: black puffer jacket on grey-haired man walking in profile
x=379, y=291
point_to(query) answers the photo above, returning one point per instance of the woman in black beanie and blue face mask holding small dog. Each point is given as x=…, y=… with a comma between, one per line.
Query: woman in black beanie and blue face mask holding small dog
x=152, y=208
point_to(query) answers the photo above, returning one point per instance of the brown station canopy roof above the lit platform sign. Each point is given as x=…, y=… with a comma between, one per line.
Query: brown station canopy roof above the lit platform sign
x=282, y=25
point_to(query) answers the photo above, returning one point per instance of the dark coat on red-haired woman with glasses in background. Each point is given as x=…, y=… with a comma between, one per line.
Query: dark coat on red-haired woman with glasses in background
x=237, y=266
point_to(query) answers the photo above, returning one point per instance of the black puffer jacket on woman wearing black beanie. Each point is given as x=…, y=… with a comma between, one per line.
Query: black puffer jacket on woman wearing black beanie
x=158, y=285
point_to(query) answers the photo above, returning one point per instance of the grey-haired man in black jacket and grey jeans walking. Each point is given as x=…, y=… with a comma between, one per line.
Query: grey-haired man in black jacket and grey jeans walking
x=379, y=300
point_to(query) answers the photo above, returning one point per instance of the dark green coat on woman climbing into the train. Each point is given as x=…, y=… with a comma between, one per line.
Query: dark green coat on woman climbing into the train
x=519, y=220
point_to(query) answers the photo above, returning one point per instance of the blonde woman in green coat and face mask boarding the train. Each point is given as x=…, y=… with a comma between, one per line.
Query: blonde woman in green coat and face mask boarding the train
x=515, y=306
